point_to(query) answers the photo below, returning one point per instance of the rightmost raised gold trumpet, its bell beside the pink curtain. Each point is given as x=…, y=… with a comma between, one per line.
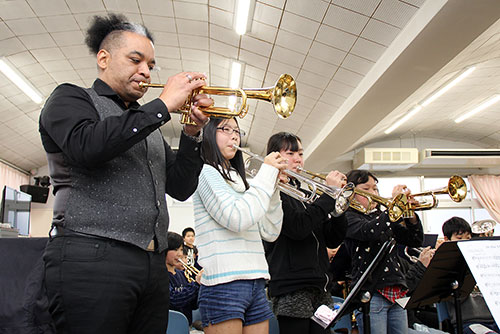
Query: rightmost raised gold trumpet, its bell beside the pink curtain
x=456, y=189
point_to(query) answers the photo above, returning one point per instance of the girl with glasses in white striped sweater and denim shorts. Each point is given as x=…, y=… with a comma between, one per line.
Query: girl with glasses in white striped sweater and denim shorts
x=232, y=217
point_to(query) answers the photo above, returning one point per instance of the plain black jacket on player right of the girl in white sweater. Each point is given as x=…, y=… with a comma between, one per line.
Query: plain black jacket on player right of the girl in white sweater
x=298, y=258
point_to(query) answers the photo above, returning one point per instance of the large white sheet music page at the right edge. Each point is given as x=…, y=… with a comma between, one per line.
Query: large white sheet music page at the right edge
x=483, y=258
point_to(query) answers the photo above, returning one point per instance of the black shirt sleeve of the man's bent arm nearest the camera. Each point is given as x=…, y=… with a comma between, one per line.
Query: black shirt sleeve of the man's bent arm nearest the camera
x=70, y=123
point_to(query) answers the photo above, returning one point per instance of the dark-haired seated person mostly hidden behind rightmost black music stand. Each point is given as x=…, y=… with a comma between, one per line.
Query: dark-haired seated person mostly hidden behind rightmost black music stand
x=474, y=308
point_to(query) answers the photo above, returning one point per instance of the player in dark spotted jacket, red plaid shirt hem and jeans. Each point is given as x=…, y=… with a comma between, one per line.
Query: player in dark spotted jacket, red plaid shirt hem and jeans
x=366, y=233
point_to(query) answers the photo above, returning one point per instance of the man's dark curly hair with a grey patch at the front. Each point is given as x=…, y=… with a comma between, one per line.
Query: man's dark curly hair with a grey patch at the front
x=103, y=31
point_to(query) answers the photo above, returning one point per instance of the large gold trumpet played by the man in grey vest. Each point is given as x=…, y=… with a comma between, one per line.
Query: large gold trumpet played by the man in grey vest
x=283, y=96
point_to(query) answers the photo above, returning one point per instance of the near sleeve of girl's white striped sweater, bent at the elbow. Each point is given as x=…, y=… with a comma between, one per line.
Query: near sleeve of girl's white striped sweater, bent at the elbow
x=234, y=210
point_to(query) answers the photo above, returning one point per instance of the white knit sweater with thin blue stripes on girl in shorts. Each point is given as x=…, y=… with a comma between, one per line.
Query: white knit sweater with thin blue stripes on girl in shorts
x=231, y=223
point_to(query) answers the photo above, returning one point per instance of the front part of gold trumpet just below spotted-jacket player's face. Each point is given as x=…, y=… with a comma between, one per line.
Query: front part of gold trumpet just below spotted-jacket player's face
x=395, y=206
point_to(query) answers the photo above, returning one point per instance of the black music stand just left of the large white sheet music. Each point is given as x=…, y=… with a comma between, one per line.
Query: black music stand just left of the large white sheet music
x=447, y=276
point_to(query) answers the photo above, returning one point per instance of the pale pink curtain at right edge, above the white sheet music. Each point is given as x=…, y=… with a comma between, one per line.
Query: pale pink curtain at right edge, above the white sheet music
x=487, y=189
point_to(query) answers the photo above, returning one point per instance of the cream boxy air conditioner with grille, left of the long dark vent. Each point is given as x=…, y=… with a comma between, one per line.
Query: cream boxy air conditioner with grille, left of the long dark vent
x=386, y=159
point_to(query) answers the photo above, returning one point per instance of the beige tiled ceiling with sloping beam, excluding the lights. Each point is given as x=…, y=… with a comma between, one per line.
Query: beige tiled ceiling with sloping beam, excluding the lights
x=359, y=66
